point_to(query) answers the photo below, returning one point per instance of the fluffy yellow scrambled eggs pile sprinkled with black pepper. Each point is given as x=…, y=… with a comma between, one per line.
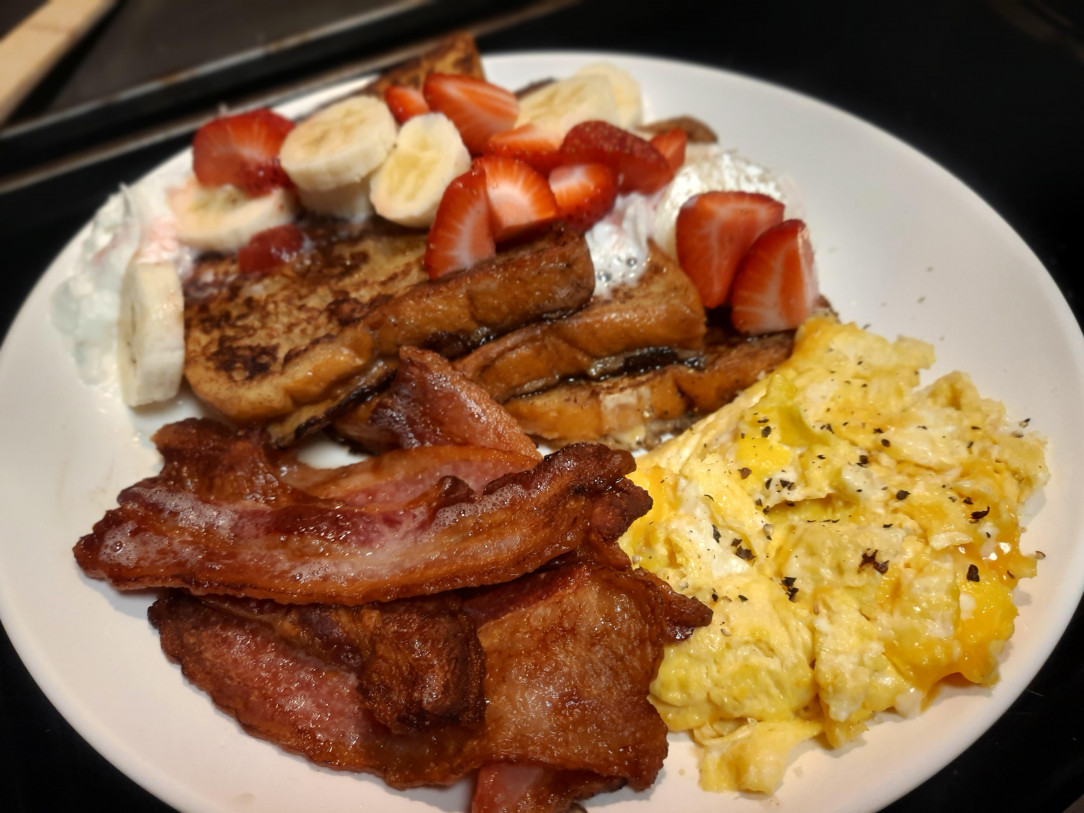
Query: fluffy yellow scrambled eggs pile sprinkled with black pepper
x=857, y=537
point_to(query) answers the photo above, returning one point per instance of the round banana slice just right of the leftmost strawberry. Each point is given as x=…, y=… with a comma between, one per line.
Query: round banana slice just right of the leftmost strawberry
x=340, y=145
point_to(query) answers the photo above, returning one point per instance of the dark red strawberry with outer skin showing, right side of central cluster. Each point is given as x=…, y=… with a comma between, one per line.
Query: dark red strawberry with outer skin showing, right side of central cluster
x=639, y=166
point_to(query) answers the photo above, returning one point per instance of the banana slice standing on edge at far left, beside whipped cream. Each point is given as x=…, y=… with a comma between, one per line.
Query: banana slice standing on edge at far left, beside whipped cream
x=150, y=333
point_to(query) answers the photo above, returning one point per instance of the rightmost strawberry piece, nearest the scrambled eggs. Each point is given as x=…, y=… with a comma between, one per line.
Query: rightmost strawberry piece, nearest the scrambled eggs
x=776, y=288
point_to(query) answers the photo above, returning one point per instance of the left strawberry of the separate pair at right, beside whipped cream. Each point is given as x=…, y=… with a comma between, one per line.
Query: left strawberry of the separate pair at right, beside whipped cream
x=714, y=233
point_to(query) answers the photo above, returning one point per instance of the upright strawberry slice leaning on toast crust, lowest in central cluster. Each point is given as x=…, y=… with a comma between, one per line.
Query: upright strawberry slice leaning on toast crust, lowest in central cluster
x=461, y=235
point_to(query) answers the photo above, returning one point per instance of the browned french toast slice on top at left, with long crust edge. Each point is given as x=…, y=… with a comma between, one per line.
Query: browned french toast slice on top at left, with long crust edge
x=291, y=347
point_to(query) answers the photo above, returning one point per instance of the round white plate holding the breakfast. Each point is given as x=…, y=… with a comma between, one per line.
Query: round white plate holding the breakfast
x=901, y=246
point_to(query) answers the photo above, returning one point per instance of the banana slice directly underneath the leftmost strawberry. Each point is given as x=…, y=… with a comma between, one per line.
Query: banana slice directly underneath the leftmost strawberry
x=225, y=218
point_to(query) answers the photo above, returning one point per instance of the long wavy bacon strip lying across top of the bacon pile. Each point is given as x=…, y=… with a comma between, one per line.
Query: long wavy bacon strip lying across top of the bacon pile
x=221, y=520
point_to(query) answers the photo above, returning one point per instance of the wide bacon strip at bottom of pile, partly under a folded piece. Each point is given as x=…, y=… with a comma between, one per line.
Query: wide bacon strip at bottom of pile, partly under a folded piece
x=570, y=656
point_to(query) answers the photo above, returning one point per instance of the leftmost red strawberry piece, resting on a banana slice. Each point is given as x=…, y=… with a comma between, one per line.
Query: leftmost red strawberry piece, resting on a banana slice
x=243, y=151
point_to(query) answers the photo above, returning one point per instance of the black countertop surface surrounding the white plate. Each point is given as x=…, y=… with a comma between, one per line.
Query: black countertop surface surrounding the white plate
x=991, y=91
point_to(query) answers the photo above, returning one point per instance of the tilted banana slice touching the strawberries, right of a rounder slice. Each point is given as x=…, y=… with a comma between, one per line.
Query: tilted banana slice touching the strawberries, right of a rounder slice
x=429, y=156
